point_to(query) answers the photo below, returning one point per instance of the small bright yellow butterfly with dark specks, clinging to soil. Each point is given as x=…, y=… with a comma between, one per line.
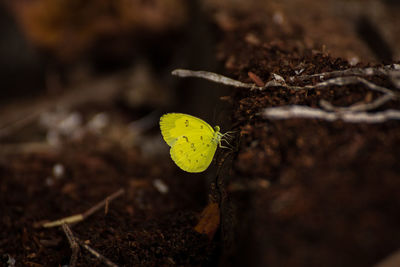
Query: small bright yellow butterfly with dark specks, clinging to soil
x=193, y=141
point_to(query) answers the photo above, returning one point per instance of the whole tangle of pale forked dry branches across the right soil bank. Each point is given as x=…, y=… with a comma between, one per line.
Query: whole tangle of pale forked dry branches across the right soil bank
x=354, y=113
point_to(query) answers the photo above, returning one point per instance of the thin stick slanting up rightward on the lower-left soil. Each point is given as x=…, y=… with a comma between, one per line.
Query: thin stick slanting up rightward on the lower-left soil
x=82, y=216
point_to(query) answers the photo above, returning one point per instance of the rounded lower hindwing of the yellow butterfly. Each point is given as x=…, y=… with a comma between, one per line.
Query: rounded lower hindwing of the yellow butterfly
x=193, y=152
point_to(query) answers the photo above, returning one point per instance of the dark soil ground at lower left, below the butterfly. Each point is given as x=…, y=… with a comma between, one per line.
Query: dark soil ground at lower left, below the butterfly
x=143, y=227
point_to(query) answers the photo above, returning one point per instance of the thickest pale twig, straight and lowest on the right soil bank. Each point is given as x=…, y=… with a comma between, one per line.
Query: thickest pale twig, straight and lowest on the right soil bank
x=295, y=111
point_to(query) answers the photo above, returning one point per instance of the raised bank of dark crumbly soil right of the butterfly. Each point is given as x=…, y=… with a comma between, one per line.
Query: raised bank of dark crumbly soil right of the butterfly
x=331, y=197
